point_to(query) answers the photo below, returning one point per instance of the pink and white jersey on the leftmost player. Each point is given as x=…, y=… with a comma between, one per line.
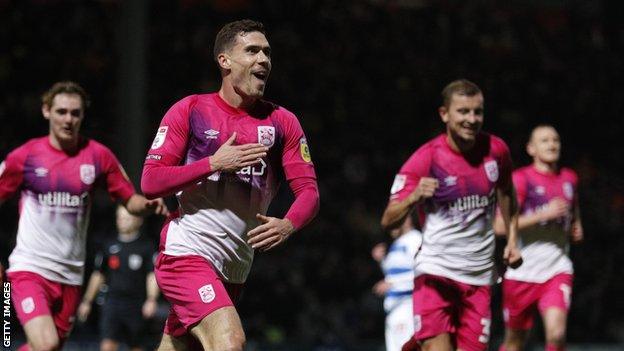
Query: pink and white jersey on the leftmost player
x=55, y=203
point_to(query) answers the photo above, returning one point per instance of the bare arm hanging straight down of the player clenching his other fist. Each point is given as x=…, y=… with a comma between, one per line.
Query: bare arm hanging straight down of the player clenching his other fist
x=509, y=212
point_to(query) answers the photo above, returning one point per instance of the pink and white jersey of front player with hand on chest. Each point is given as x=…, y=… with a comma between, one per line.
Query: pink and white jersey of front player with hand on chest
x=217, y=212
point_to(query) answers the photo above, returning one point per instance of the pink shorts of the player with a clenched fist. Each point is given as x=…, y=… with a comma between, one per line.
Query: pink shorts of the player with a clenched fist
x=443, y=305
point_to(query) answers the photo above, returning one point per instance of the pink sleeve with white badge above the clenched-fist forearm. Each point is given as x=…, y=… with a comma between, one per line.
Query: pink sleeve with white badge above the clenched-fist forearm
x=416, y=167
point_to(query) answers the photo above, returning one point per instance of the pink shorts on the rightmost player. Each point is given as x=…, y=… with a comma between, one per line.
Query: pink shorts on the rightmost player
x=522, y=299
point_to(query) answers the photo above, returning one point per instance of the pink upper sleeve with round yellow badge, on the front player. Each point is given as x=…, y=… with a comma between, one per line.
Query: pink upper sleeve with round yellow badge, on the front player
x=296, y=158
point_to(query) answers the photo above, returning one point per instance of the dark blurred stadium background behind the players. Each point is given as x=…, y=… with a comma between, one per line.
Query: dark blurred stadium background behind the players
x=364, y=78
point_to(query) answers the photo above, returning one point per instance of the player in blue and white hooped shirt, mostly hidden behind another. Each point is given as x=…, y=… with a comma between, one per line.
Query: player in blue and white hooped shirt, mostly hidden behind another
x=397, y=263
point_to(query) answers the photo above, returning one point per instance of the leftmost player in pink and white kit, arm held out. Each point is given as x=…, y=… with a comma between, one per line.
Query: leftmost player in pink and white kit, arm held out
x=57, y=175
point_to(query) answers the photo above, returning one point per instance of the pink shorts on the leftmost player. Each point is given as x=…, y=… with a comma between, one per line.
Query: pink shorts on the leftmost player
x=34, y=296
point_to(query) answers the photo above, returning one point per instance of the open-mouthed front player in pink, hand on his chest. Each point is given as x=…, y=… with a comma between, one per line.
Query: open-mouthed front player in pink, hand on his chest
x=223, y=155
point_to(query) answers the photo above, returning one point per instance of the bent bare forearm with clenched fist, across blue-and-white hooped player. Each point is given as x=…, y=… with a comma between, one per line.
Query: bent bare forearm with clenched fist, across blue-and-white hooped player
x=395, y=212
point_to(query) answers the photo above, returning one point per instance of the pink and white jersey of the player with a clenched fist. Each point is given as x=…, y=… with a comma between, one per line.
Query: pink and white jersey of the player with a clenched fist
x=458, y=241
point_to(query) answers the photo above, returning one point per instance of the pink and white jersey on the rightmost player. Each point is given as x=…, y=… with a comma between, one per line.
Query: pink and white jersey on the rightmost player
x=545, y=245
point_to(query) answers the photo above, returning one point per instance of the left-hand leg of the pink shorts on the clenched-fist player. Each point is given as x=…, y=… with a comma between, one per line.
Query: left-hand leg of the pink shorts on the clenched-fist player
x=432, y=306
